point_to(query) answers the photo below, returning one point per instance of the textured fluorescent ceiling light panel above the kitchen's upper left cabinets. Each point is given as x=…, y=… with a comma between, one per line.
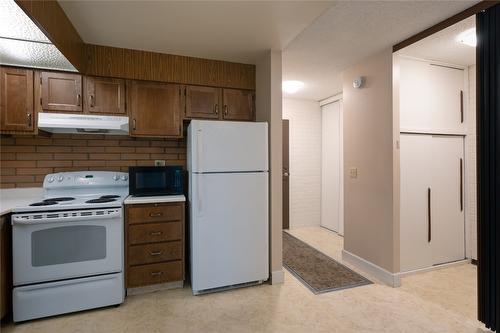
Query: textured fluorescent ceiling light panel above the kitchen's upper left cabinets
x=23, y=44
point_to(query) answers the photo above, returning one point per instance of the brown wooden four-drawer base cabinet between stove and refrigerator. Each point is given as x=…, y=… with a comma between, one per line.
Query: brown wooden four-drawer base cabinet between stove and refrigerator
x=155, y=243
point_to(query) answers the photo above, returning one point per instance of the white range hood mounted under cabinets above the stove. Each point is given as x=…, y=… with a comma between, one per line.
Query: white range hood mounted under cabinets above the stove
x=80, y=123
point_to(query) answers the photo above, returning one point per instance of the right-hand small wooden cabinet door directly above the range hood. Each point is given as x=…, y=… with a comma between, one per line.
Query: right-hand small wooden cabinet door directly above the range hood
x=104, y=95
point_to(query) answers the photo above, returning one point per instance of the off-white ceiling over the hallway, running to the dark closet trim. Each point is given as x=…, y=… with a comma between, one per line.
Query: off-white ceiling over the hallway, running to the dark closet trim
x=352, y=30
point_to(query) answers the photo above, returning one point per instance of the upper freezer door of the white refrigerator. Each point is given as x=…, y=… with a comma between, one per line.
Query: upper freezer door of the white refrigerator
x=227, y=146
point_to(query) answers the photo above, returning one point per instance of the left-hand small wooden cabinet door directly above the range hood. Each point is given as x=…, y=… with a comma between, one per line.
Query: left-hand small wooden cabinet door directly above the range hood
x=61, y=92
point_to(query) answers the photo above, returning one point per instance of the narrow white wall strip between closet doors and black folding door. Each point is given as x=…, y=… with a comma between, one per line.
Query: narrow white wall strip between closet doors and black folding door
x=470, y=150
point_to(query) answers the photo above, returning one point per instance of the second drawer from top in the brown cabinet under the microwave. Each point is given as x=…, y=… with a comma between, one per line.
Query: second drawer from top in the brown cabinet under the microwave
x=154, y=232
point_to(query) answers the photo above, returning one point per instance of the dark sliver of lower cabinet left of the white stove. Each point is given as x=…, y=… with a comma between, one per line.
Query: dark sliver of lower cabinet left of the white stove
x=5, y=266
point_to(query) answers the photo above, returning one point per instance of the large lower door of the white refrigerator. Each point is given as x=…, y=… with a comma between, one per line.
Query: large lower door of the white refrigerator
x=229, y=229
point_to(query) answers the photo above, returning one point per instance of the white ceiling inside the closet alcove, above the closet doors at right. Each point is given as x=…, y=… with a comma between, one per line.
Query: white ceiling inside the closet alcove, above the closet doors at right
x=444, y=47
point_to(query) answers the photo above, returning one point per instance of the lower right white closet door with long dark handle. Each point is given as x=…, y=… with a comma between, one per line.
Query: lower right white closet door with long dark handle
x=448, y=234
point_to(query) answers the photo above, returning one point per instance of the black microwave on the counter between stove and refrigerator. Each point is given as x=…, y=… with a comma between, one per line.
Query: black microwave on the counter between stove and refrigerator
x=161, y=180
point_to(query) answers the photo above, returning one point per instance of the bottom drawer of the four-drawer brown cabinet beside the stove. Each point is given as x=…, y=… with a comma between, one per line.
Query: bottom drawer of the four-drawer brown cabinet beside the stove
x=154, y=273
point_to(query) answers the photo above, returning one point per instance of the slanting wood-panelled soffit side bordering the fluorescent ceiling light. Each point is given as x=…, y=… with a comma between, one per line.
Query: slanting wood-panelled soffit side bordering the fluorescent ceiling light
x=52, y=20
